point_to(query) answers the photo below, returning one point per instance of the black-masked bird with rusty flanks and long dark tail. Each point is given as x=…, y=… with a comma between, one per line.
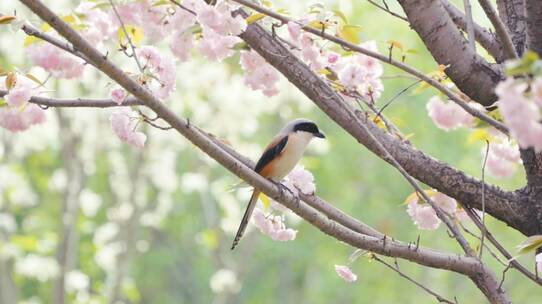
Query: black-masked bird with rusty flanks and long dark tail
x=279, y=158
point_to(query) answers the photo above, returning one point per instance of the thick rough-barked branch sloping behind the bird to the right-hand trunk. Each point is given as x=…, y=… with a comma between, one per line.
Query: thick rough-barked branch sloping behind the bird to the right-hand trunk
x=501, y=204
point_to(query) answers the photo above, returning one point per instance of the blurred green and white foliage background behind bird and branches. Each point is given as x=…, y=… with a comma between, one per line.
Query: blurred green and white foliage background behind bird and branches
x=155, y=225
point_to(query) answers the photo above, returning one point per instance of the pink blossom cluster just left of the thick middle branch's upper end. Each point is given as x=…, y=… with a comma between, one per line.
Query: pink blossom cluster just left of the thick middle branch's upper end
x=215, y=46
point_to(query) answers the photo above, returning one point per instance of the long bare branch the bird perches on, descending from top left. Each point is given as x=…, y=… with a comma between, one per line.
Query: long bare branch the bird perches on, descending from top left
x=465, y=265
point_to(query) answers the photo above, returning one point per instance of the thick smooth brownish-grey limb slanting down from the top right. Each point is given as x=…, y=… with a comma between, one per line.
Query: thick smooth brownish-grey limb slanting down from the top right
x=469, y=71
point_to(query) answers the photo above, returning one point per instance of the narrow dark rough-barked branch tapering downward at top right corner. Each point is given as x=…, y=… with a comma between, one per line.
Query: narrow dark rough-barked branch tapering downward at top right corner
x=512, y=13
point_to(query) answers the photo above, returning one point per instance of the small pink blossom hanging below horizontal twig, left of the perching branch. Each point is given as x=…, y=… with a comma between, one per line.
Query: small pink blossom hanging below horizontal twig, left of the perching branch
x=123, y=124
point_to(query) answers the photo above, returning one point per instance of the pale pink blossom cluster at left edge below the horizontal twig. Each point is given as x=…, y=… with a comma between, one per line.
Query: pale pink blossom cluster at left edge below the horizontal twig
x=20, y=119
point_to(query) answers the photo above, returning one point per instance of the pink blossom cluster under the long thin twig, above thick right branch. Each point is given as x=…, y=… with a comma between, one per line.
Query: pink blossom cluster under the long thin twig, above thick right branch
x=448, y=116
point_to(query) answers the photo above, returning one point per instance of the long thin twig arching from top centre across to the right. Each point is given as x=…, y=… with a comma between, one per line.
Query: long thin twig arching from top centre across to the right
x=350, y=46
